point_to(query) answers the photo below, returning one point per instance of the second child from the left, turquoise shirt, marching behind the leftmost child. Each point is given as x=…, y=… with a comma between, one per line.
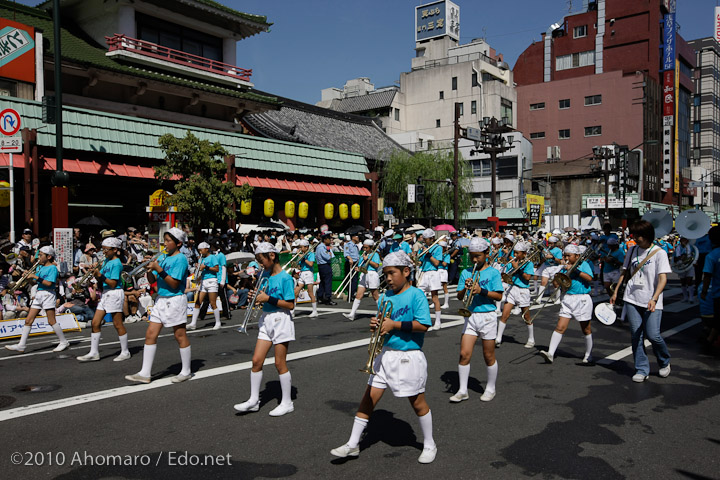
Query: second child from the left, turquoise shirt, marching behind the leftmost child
x=111, y=302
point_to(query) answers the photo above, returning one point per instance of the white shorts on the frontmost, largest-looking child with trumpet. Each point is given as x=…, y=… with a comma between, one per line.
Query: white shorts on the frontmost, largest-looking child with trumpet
x=405, y=372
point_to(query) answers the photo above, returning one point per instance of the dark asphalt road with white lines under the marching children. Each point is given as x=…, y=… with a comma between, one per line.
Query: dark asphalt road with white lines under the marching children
x=62, y=419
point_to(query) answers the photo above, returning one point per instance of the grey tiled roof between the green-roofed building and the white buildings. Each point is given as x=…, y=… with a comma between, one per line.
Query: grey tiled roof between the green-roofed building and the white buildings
x=304, y=123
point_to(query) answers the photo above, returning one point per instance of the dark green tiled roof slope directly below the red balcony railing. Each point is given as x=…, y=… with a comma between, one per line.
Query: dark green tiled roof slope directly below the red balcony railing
x=77, y=49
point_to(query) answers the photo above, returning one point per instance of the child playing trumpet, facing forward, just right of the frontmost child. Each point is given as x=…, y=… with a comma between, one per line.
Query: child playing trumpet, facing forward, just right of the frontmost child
x=483, y=321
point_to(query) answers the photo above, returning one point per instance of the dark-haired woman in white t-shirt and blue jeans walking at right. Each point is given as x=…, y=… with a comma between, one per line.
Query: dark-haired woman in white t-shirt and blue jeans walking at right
x=643, y=298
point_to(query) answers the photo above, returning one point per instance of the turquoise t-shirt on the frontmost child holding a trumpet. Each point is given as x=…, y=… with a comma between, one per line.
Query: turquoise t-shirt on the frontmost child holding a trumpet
x=407, y=306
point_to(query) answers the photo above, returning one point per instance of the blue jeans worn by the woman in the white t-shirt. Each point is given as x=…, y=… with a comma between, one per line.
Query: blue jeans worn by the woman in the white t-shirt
x=644, y=323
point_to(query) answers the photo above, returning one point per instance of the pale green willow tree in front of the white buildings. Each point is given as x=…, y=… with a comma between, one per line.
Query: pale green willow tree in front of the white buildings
x=404, y=168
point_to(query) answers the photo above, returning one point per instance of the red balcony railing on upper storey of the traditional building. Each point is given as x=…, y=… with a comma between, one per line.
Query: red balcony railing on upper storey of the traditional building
x=120, y=42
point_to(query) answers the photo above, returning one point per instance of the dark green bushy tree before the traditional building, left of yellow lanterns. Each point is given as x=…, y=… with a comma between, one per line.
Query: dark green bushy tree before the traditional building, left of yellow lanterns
x=198, y=172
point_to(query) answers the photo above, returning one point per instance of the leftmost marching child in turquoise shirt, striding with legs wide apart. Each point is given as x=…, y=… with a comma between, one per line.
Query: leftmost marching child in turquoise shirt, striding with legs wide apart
x=46, y=276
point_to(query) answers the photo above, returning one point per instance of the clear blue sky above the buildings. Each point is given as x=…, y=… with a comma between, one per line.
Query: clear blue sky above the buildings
x=322, y=43
